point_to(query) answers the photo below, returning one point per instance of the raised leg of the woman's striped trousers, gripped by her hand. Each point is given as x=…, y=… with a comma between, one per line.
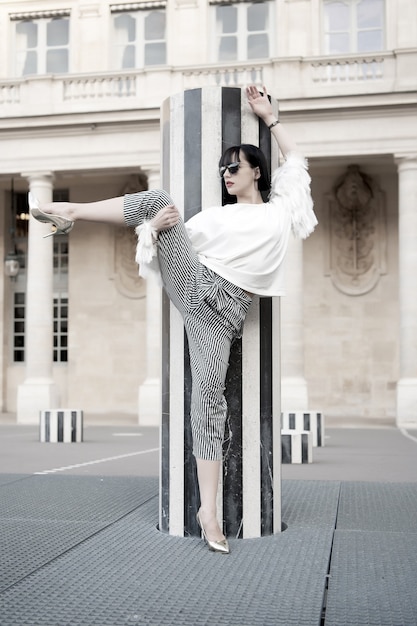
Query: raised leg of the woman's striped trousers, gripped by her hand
x=178, y=261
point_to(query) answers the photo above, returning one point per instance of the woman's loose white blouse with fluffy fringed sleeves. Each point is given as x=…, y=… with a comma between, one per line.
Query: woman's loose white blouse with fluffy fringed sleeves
x=246, y=243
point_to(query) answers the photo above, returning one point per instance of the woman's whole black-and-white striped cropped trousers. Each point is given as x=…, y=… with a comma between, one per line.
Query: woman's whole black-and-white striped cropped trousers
x=213, y=310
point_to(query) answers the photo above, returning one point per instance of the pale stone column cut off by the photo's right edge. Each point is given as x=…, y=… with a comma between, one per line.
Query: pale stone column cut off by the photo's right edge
x=407, y=238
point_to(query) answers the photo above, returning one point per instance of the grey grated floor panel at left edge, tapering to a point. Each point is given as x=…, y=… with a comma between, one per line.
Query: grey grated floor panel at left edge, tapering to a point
x=41, y=517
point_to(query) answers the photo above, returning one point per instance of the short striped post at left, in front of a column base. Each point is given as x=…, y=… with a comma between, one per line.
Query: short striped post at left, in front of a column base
x=61, y=426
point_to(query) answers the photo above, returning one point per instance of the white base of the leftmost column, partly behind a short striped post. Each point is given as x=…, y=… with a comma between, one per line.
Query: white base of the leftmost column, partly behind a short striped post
x=34, y=396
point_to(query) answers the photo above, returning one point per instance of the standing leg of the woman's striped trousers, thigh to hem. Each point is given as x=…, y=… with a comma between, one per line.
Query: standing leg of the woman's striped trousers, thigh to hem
x=209, y=343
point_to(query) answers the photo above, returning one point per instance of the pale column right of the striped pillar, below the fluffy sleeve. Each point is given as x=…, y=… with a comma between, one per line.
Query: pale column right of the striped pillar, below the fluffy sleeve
x=294, y=392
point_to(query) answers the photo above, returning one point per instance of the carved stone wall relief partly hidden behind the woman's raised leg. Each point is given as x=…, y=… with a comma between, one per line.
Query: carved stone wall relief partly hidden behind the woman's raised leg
x=126, y=276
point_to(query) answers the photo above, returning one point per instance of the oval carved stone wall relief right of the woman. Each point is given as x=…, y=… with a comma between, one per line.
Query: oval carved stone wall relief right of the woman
x=356, y=233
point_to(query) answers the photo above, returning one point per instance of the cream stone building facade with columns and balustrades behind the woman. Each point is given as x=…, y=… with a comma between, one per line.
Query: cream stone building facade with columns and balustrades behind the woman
x=81, y=86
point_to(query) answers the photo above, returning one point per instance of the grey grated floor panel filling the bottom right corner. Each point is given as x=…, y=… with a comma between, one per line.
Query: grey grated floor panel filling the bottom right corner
x=373, y=579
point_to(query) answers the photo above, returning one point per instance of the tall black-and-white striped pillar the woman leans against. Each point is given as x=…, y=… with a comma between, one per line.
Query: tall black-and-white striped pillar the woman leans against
x=197, y=126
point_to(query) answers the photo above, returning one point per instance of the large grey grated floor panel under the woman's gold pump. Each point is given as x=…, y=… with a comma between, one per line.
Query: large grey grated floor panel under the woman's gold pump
x=130, y=573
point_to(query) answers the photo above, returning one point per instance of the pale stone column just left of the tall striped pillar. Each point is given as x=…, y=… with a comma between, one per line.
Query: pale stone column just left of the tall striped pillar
x=150, y=389
